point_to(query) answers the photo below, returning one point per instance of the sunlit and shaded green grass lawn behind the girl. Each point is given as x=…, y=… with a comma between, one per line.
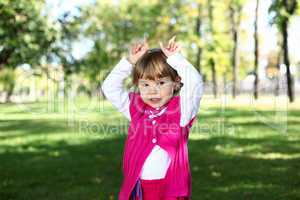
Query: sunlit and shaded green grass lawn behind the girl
x=238, y=150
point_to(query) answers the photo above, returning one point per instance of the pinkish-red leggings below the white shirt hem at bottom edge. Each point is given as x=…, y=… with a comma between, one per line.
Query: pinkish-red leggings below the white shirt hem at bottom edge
x=153, y=189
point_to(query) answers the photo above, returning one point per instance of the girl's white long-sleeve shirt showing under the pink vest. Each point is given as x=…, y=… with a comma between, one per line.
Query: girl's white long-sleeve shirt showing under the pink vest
x=157, y=163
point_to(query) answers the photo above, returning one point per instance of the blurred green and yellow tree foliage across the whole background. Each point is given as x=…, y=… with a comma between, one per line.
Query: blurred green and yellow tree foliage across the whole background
x=27, y=34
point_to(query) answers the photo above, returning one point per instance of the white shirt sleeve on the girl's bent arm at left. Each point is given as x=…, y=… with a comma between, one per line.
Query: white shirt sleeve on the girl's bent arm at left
x=113, y=89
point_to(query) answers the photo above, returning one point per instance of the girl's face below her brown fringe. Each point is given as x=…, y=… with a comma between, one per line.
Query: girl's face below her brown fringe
x=157, y=93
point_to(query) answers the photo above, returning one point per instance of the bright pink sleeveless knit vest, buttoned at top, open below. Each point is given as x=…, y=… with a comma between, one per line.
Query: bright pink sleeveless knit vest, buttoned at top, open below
x=168, y=134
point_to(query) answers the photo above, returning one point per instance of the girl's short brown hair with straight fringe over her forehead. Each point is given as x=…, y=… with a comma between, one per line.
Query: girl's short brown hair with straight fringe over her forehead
x=153, y=65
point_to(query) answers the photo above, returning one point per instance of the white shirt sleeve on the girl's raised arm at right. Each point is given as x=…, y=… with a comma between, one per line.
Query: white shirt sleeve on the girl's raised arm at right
x=192, y=89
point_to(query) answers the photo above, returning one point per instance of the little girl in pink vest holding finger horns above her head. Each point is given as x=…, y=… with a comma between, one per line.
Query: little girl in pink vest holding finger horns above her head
x=155, y=159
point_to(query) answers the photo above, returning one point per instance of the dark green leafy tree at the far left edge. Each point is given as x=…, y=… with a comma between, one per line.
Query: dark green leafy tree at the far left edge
x=25, y=35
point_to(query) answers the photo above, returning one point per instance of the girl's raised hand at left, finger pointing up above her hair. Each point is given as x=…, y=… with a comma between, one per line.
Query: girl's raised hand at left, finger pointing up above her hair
x=137, y=50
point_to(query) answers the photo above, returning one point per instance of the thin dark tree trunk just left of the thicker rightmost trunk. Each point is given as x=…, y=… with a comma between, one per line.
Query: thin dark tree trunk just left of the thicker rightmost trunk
x=256, y=54
